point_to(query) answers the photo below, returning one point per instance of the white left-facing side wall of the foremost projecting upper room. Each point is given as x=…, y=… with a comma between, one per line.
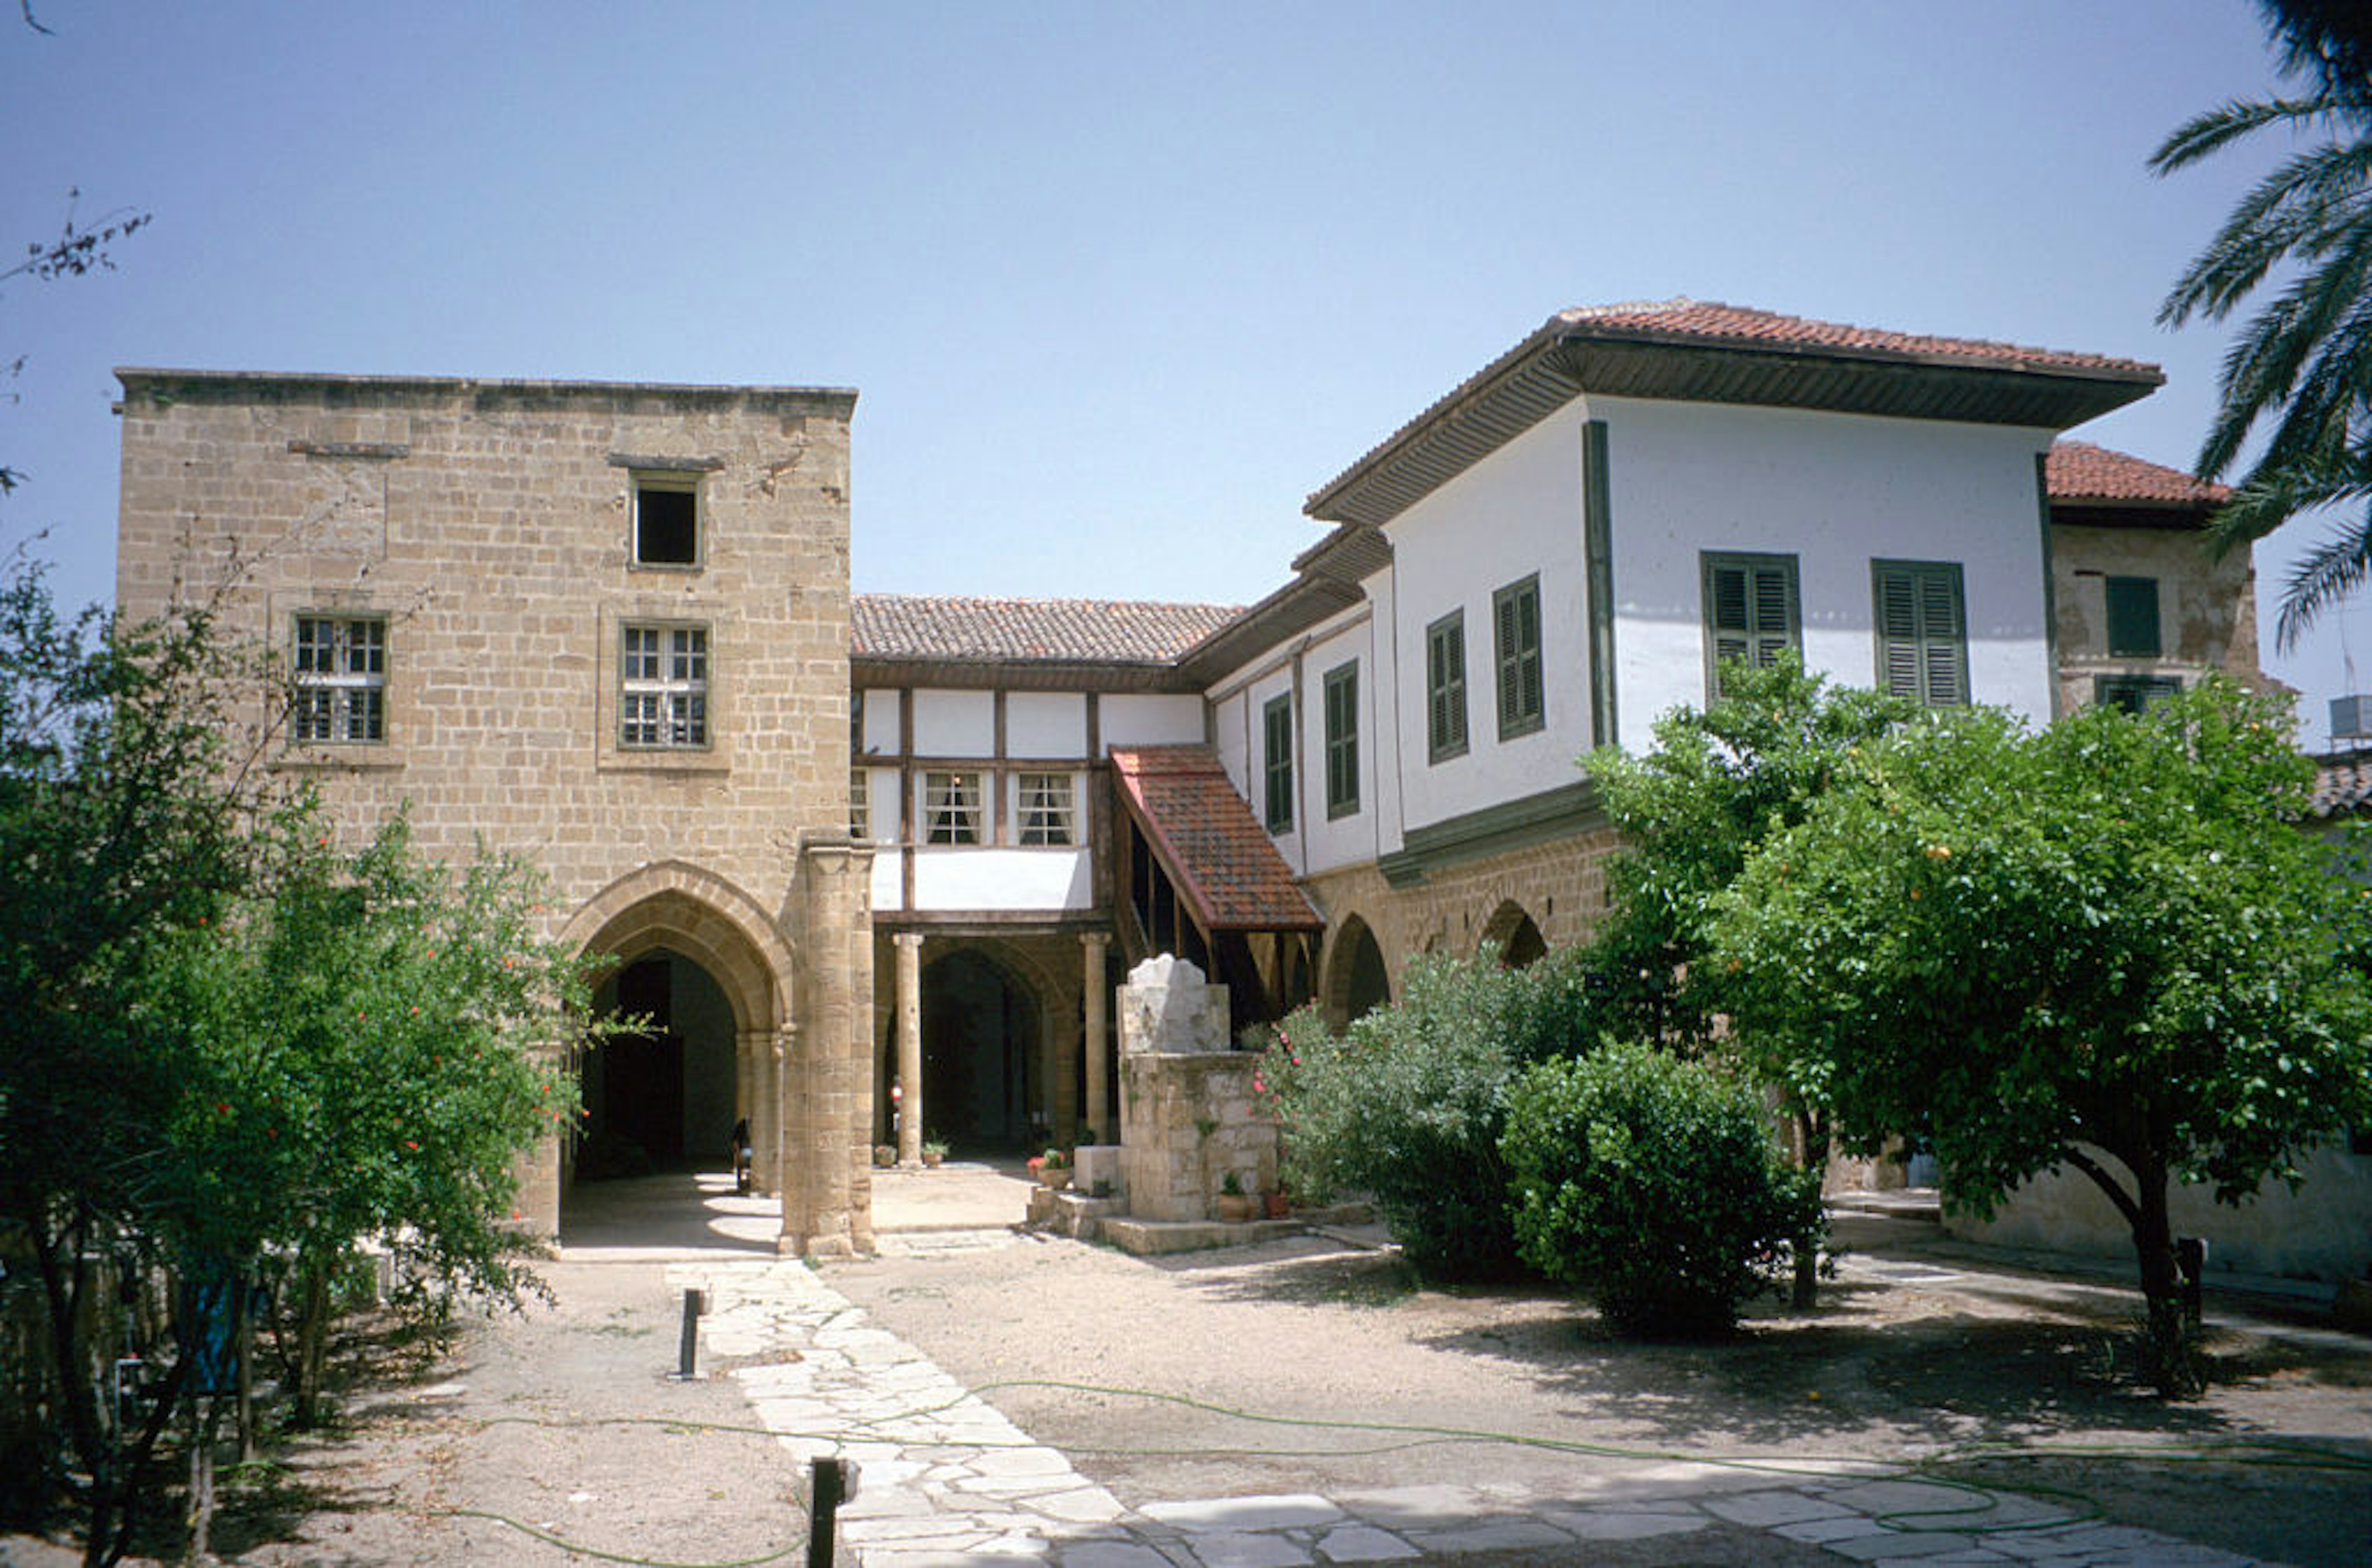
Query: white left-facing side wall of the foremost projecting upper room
x=1503, y=521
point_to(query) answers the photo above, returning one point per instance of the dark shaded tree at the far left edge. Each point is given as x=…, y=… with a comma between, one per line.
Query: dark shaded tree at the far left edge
x=122, y=822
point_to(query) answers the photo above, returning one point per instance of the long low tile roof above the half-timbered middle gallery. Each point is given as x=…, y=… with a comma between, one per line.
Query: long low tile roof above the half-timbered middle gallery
x=1028, y=630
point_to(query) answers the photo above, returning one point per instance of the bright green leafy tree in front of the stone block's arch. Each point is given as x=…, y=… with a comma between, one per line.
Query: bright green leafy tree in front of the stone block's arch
x=369, y=1050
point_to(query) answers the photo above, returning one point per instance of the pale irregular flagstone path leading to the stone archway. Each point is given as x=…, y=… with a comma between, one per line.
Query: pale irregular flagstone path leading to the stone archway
x=948, y=1481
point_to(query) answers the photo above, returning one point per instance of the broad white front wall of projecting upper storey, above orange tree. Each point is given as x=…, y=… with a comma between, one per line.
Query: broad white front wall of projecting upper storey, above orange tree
x=1835, y=492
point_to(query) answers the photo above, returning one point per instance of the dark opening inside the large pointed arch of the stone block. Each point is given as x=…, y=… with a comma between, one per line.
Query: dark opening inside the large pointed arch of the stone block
x=661, y=1097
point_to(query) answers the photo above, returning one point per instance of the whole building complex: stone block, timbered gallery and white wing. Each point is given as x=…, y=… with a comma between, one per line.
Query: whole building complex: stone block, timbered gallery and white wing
x=876, y=865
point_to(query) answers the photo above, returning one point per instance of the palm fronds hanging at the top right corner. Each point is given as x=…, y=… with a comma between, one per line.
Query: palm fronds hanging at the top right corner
x=2304, y=359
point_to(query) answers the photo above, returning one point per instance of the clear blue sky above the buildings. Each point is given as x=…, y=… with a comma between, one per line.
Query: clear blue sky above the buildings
x=1118, y=283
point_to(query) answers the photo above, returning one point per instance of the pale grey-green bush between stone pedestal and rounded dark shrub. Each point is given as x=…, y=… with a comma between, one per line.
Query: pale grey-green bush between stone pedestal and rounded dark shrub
x=1408, y=1107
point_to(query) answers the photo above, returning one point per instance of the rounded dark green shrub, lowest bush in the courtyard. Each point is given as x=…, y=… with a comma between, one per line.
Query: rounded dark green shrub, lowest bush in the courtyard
x=1652, y=1183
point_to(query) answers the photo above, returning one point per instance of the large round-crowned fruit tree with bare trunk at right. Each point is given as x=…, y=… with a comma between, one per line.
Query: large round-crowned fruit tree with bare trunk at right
x=2105, y=945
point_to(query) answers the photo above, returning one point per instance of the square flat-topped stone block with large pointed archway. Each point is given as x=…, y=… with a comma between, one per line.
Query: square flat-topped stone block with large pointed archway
x=599, y=625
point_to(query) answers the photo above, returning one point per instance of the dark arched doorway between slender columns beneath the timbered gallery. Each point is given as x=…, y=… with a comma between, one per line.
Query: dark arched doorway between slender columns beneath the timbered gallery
x=983, y=1033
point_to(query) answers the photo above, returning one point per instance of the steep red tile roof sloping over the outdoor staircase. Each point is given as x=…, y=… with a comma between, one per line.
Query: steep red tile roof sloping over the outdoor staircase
x=1206, y=836
